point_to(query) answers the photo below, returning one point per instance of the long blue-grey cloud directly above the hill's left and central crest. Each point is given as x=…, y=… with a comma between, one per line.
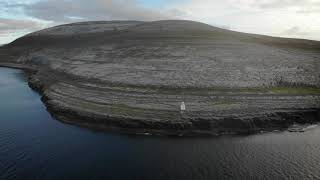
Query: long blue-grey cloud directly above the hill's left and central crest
x=71, y=10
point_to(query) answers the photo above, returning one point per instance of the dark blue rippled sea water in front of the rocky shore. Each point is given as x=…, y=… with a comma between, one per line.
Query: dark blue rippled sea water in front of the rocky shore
x=35, y=146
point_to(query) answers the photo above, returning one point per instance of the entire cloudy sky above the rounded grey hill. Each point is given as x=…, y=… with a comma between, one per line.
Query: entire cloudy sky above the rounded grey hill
x=287, y=18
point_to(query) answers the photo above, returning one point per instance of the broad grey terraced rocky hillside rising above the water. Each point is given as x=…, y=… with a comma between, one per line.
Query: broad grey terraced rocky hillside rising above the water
x=134, y=75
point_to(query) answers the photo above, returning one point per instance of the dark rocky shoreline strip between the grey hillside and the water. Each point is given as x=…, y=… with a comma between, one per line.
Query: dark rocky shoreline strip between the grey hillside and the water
x=275, y=120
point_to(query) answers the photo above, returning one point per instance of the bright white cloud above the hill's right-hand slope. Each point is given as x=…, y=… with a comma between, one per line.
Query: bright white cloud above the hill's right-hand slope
x=270, y=17
